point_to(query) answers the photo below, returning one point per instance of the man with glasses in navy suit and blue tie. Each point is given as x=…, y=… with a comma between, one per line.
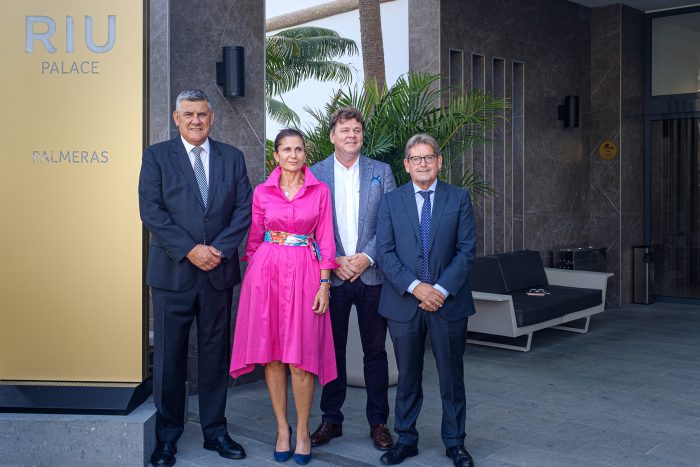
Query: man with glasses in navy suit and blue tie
x=426, y=240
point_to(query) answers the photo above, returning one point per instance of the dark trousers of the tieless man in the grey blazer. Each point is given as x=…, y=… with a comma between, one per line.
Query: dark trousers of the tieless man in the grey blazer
x=373, y=336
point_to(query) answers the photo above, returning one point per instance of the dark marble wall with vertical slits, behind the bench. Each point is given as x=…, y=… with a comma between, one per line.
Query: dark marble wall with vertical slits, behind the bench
x=537, y=50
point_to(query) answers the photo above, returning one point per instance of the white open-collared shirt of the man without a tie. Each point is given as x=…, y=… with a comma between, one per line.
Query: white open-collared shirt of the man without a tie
x=347, y=203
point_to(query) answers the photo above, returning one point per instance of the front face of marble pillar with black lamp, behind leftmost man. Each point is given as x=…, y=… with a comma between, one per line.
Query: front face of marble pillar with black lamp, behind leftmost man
x=198, y=31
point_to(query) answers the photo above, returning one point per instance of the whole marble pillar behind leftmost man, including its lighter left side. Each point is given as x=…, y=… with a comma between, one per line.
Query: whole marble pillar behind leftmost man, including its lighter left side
x=186, y=40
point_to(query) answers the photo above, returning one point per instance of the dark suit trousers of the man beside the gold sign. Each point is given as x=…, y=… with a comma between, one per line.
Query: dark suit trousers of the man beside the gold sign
x=173, y=314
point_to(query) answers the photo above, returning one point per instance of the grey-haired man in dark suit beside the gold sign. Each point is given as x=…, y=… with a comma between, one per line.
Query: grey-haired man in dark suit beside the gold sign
x=195, y=199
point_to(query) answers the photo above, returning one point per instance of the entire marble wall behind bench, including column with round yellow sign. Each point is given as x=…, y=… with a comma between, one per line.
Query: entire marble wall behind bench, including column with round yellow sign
x=553, y=189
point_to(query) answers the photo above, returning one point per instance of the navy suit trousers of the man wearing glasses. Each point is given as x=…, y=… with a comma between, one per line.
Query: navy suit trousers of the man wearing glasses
x=448, y=340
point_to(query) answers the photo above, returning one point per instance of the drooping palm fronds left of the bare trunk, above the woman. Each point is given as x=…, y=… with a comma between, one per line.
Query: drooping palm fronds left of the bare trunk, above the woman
x=301, y=53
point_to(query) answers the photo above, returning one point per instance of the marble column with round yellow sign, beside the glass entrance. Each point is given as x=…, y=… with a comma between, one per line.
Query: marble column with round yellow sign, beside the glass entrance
x=615, y=196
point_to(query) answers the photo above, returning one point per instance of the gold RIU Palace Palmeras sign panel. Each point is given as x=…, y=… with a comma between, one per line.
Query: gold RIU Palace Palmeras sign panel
x=72, y=132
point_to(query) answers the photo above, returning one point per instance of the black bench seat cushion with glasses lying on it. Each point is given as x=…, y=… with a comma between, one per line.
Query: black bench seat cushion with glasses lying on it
x=560, y=301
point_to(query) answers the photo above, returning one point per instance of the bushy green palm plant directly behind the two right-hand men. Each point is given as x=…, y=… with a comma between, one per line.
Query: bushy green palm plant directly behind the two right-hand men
x=407, y=108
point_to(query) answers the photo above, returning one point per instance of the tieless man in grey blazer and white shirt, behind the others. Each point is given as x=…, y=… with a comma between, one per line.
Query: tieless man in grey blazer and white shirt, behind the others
x=357, y=185
